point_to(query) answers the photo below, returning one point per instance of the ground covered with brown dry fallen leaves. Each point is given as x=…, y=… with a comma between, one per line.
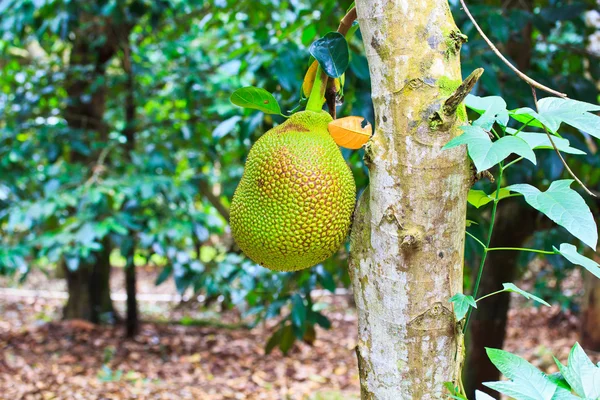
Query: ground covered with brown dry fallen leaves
x=43, y=358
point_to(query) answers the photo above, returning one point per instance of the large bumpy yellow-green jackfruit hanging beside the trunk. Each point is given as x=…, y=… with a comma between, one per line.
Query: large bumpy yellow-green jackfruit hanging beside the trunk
x=293, y=206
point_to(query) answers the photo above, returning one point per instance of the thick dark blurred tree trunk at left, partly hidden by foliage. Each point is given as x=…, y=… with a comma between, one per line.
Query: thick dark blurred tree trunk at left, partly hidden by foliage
x=89, y=289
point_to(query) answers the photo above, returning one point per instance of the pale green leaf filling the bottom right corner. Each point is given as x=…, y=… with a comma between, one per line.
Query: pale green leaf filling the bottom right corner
x=581, y=373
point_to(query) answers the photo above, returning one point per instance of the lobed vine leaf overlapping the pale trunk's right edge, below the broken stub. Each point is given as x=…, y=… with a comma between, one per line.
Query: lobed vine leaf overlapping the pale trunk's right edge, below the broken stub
x=485, y=153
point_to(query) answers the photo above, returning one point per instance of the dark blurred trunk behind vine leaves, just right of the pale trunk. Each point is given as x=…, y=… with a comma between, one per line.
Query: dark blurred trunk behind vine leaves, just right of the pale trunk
x=515, y=222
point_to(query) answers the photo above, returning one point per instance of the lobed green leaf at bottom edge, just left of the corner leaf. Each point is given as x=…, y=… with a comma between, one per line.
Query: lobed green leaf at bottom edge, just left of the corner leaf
x=526, y=381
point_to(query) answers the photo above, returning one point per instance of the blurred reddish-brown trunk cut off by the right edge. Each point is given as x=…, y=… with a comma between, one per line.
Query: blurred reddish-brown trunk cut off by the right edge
x=590, y=313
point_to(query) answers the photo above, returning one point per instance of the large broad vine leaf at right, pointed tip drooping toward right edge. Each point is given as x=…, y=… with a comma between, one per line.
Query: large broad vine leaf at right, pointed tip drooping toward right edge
x=564, y=206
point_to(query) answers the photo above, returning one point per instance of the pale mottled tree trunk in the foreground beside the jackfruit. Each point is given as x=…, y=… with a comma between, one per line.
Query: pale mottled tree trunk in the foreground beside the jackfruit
x=407, y=241
